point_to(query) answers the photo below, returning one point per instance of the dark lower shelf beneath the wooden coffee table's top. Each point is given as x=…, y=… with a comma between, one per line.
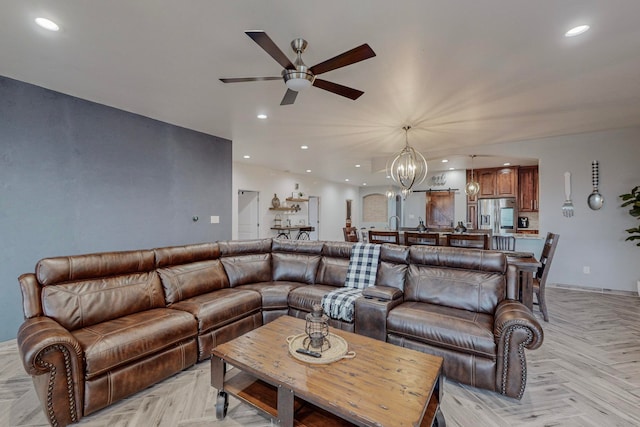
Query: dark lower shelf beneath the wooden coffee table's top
x=264, y=397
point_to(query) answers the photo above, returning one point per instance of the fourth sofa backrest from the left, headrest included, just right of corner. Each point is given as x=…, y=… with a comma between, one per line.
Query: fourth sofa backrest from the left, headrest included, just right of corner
x=295, y=260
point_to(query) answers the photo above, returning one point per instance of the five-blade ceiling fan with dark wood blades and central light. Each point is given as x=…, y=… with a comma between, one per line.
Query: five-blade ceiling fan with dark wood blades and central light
x=297, y=76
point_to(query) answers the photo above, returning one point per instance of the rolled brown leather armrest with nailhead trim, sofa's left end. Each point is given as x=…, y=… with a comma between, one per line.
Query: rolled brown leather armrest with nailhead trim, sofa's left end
x=53, y=357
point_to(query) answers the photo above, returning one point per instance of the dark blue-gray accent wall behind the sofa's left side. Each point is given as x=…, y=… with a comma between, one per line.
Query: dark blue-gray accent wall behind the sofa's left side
x=79, y=177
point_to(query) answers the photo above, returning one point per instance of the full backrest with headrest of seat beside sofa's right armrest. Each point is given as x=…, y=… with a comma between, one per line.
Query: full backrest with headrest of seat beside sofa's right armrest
x=467, y=279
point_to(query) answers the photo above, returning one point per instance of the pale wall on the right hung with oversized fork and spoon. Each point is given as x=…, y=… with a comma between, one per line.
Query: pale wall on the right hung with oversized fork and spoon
x=590, y=238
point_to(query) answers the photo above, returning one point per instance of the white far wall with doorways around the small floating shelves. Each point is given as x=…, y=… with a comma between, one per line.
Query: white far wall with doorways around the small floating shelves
x=332, y=199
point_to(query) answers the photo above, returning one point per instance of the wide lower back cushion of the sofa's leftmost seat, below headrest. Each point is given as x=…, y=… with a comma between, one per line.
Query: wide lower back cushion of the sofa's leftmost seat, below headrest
x=80, y=304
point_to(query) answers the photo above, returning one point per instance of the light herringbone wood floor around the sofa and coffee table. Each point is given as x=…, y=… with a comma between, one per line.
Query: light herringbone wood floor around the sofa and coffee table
x=587, y=373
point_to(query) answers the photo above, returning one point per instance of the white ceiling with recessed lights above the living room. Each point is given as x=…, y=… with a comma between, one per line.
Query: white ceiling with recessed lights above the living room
x=462, y=73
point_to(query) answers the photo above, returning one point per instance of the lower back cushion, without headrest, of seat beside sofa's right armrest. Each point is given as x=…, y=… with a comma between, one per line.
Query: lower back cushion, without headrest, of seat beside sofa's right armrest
x=471, y=290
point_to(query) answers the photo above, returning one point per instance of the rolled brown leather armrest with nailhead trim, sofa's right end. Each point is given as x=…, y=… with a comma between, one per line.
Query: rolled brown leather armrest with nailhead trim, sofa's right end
x=515, y=329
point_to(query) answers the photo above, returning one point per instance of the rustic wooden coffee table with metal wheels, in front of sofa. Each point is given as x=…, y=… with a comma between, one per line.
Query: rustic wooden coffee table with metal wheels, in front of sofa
x=383, y=385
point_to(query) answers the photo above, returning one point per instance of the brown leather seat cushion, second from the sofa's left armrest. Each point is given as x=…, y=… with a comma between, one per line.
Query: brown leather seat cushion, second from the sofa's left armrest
x=218, y=308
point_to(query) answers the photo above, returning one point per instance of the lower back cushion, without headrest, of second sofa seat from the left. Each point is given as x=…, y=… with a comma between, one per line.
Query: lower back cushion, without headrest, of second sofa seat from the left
x=188, y=280
